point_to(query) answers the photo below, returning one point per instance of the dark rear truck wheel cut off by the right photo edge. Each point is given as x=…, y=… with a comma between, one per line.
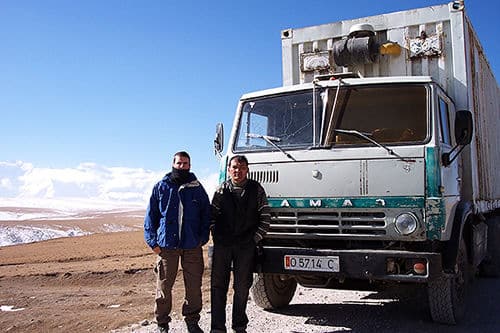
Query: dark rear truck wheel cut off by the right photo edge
x=490, y=267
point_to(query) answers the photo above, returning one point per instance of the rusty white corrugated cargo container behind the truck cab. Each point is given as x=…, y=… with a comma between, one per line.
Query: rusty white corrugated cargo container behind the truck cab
x=437, y=41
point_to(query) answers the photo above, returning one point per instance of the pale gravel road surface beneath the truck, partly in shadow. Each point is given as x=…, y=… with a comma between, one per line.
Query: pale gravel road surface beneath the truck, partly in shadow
x=323, y=310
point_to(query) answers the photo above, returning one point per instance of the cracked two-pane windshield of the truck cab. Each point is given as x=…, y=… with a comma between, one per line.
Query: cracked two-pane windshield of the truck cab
x=389, y=114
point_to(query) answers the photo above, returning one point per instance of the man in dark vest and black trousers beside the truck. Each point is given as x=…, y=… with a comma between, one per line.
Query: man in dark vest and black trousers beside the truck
x=240, y=217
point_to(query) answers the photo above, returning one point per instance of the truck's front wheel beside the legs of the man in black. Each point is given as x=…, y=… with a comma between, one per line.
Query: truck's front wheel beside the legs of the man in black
x=272, y=291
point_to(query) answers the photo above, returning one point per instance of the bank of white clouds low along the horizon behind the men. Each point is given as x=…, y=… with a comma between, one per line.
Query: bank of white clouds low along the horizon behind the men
x=88, y=184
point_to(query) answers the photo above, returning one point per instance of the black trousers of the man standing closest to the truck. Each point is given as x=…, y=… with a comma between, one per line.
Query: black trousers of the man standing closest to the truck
x=241, y=258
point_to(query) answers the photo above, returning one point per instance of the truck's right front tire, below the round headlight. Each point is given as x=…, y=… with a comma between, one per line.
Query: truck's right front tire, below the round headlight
x=447, y=293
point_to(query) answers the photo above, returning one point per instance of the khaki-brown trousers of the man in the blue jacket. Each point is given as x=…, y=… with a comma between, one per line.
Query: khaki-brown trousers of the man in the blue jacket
x=166, y=272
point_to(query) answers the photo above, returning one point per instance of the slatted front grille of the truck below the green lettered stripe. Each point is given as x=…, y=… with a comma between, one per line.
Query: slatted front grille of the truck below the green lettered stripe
x=326, y=223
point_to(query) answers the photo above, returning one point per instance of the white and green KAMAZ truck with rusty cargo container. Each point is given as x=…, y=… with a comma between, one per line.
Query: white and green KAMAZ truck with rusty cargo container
x=379, y=157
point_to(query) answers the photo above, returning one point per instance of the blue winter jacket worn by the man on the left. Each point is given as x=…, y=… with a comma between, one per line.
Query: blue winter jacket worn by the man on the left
x=178, y=217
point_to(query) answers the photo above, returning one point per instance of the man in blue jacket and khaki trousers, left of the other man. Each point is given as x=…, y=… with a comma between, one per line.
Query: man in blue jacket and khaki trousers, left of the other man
x=176, y=226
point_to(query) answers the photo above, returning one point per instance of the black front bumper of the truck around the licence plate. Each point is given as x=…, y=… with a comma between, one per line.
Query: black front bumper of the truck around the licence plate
x=354, y=264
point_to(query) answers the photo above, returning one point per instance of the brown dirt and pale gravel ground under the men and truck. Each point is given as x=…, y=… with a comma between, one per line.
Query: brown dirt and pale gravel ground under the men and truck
x=104, y=282
